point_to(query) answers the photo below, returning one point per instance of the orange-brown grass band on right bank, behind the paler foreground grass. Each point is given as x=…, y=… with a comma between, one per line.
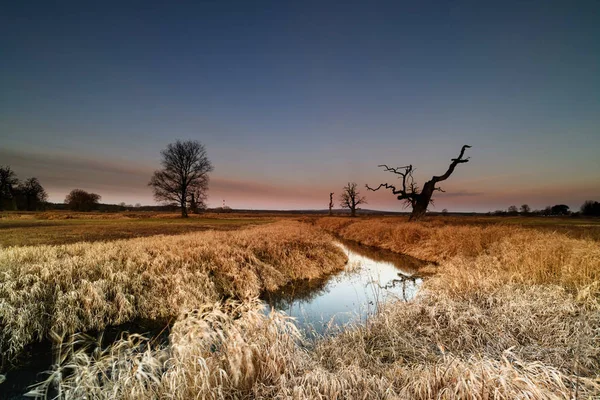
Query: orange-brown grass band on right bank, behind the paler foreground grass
x=503, y=253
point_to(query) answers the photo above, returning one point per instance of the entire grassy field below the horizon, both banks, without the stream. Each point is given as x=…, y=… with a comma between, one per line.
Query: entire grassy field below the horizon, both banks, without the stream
x=510, y=308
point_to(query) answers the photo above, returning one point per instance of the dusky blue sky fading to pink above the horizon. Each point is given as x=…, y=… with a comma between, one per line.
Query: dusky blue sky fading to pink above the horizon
x=295, y=99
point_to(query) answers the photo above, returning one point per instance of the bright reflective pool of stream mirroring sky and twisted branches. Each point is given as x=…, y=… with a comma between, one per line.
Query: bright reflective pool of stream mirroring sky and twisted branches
x=371, y=277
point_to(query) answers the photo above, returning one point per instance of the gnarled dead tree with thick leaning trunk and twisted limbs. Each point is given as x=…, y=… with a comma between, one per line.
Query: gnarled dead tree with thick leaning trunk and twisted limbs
x=409, y=192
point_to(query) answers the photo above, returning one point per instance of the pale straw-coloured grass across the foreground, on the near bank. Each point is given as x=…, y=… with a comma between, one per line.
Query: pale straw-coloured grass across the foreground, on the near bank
x=433, y=348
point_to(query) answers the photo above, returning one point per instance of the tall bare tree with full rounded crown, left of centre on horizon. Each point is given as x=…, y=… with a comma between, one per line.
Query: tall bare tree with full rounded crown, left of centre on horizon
x=184, y=175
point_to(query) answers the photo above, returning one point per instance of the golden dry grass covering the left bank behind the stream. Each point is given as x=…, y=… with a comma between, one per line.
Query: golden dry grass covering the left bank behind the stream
x=87, y=286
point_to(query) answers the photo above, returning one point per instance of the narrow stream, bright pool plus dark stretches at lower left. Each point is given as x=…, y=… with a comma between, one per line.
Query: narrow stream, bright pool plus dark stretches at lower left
x=322, y=306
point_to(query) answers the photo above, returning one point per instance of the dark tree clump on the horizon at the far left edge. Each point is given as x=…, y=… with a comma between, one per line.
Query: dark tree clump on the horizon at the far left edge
x=28, y=195
